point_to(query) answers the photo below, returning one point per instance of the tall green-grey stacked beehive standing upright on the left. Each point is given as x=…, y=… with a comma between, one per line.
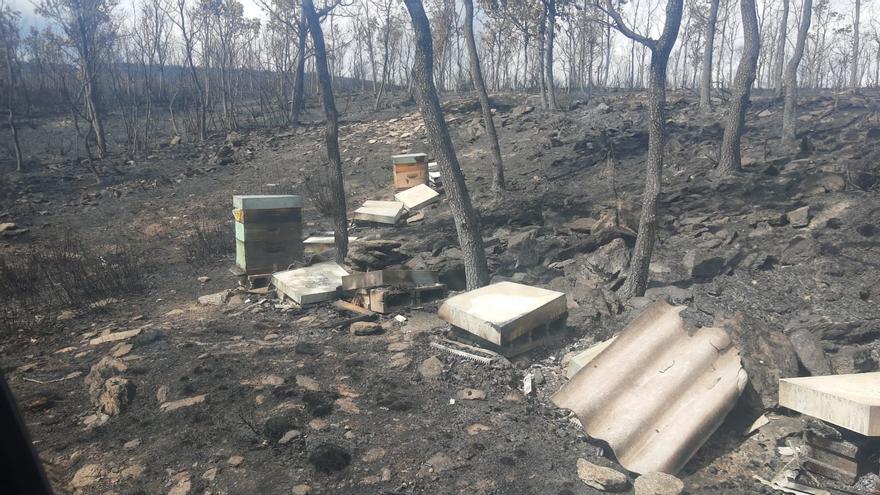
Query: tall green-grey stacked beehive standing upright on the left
x=268, y=232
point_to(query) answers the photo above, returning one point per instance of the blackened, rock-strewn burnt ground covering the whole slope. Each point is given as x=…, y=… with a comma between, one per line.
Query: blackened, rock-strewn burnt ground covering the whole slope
x=367, y=420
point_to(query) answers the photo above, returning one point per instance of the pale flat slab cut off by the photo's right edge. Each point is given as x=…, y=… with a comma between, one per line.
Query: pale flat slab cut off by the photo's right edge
x=849, y=401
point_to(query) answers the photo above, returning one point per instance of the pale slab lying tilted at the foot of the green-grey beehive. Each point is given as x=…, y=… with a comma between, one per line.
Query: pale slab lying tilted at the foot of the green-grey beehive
x=310, y=284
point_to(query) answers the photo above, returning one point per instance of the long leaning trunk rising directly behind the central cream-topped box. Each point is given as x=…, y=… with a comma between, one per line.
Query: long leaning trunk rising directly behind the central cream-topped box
x=466, y=221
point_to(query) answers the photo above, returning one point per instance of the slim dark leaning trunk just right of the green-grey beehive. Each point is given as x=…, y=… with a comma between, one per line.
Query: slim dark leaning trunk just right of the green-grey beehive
x=340, y=216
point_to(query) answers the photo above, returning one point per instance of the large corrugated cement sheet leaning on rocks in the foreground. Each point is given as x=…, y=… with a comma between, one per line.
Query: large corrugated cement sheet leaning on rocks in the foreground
x=656, y=393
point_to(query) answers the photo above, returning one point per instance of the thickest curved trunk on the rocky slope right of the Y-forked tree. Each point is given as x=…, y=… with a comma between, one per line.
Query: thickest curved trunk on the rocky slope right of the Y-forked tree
x=729, y=159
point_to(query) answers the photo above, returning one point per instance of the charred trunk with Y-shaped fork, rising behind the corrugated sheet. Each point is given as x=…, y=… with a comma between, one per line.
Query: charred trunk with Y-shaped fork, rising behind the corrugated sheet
x=637, y=281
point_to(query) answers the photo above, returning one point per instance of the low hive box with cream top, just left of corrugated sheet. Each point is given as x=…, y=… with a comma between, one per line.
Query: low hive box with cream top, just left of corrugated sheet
x=507, y=317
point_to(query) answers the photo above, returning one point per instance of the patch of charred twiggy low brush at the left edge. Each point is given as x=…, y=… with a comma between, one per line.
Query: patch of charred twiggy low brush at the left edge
x=69, y=273
